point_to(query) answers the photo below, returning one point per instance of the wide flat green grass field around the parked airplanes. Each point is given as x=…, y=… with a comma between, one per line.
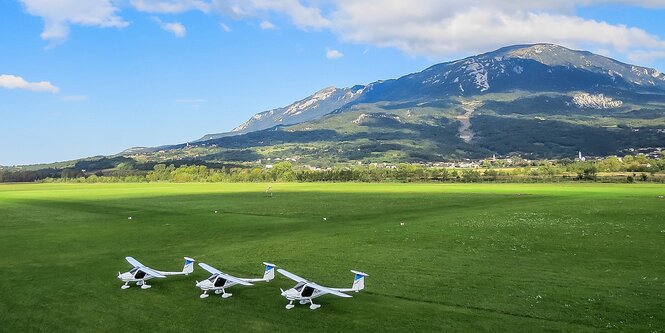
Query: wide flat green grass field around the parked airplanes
x=499, y=257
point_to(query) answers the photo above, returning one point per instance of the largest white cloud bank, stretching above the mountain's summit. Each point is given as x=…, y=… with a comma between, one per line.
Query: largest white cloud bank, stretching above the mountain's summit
x=438, y=28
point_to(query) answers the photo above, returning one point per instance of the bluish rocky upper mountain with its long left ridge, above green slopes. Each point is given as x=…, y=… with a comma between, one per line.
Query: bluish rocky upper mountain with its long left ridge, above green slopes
x=540, y=67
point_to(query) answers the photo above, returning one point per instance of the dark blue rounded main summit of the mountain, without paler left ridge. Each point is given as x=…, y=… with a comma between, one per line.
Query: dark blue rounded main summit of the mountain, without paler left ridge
x=541, y=67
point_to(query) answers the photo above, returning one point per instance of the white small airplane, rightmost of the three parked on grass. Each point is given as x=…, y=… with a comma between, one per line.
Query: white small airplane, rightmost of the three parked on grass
x=305, y=291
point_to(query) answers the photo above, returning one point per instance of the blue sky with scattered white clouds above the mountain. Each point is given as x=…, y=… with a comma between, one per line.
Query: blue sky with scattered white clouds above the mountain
x=81, y=80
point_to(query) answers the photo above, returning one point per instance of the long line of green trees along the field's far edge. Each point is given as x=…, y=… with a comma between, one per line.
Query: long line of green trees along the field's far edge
x=611, y=169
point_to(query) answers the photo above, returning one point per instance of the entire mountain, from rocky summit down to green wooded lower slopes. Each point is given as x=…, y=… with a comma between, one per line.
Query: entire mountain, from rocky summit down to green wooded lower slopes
x=539, y=101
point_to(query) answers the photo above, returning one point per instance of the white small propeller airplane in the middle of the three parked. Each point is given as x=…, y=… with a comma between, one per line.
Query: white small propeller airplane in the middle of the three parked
x=219, y=281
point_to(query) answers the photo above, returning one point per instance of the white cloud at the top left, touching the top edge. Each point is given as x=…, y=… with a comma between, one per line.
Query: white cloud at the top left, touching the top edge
x=59, y=15
